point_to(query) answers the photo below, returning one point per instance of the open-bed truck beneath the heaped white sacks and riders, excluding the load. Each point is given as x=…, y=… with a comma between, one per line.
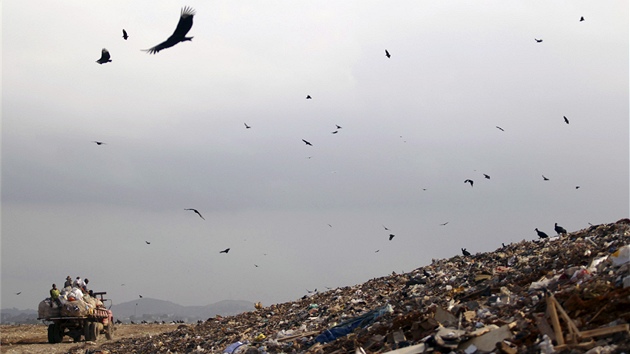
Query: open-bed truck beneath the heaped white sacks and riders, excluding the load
x=99, y=321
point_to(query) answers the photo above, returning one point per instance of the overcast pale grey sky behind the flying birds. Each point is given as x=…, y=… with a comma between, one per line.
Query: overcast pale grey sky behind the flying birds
x=298, y=217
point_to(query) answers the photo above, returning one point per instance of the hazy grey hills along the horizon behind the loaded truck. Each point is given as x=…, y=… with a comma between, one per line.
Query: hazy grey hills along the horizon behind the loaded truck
x=147, y=309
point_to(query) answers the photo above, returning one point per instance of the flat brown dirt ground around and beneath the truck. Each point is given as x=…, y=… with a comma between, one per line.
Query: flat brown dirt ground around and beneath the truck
x=33, y=339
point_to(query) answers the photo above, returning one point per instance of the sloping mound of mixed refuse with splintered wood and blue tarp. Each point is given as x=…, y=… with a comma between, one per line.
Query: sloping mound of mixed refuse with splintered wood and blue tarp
x=569, y=293
